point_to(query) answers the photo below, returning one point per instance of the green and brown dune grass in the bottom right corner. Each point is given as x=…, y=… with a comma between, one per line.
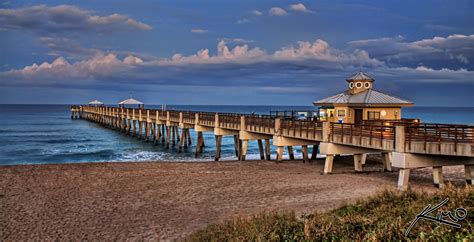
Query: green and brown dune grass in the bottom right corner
x=385, y=216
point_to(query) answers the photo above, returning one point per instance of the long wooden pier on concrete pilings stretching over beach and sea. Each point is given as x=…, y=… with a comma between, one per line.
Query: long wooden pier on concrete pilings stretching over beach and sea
x=405, y=144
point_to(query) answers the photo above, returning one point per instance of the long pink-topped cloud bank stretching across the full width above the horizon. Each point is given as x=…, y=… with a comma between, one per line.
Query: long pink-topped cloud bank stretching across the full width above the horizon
x=294, y=68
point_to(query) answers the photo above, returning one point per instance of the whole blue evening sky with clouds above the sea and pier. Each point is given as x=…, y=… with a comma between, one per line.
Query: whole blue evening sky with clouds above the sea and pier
x=234, y=52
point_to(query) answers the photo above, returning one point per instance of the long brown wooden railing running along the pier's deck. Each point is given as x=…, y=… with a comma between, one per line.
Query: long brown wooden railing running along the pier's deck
x=376, y=134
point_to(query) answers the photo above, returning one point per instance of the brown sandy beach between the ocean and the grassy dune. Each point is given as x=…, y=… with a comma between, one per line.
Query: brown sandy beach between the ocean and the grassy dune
x=168, y=200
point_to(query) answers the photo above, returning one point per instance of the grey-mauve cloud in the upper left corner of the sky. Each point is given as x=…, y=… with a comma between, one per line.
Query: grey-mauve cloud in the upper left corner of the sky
x=65, y=18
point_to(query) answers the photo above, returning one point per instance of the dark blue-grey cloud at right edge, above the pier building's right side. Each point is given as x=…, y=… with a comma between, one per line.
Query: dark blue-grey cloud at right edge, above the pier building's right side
x=452, y=52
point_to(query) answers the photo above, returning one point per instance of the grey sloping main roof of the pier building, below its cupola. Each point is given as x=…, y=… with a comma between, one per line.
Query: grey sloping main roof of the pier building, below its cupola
x=369, y=96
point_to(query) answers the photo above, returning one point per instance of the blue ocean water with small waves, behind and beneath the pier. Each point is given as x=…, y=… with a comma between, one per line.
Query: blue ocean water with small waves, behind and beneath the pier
x=40, y=134
